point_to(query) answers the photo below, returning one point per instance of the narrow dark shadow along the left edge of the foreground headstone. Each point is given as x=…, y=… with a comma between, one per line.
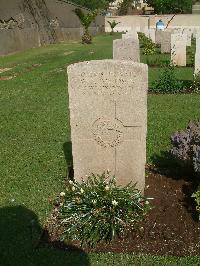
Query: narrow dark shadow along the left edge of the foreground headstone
x=67, y=149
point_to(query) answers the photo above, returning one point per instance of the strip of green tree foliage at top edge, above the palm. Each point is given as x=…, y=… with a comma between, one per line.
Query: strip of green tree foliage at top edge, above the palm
x=93, y=4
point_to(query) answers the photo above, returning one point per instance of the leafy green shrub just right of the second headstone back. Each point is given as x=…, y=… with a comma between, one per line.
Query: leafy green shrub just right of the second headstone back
x=146, y=43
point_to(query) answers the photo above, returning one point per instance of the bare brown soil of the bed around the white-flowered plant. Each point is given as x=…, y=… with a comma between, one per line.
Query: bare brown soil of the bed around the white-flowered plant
x=172, y=227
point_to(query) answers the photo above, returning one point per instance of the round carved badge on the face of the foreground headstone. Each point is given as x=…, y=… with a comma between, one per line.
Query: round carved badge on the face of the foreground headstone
x=108, y=132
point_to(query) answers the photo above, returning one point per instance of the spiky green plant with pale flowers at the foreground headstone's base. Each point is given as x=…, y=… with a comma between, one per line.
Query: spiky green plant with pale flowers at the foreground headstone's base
x=99, y=210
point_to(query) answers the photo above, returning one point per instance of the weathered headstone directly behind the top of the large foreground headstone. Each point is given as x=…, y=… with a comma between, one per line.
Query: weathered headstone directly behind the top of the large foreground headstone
x=126, y=49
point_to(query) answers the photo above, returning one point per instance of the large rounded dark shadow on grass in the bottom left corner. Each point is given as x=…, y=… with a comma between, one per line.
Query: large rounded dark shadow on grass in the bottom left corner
x=20, y=244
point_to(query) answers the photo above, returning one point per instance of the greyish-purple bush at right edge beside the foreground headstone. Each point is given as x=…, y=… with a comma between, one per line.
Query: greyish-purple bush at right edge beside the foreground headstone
x=186, y=146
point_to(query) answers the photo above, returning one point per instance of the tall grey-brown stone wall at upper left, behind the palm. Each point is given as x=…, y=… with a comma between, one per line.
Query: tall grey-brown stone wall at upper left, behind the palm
x=52, y=20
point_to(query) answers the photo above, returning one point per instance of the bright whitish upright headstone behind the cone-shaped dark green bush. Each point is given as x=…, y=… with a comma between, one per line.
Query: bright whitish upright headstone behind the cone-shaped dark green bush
x=178, y=49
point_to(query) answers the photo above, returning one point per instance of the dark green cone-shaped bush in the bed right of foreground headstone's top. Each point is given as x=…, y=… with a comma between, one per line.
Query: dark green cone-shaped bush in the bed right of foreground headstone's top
x=167, y=81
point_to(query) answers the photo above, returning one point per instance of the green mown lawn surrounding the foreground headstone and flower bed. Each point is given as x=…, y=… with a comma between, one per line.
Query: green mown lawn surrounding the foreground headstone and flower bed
x=34, y=150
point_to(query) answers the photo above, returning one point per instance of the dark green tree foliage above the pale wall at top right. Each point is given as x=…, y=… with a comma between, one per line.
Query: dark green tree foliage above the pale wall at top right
x=171, y=6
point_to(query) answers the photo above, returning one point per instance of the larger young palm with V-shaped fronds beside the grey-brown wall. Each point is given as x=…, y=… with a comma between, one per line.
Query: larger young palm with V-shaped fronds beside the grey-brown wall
x=86, y=20
